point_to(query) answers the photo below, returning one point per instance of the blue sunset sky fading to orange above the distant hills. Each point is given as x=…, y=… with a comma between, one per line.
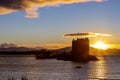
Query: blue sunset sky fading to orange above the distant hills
x=43, y=23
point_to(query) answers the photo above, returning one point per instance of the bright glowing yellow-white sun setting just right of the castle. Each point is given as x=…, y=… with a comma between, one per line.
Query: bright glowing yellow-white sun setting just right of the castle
x=101, y=45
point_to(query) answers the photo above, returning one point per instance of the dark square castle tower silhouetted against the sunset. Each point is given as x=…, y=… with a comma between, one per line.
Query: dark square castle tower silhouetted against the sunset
x=80, y=49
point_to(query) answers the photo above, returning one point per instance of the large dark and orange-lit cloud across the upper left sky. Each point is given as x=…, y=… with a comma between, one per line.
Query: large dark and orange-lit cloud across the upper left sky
x=31, y=6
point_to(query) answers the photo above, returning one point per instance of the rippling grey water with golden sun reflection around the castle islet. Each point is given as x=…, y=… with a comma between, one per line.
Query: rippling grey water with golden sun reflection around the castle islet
x=107, y=68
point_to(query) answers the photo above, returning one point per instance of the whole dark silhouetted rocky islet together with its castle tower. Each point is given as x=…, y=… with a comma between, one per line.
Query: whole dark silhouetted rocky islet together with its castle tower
x=79, y=53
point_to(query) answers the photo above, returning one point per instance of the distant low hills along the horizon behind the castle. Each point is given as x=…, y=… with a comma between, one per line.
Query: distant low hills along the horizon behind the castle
x=66, y=49
